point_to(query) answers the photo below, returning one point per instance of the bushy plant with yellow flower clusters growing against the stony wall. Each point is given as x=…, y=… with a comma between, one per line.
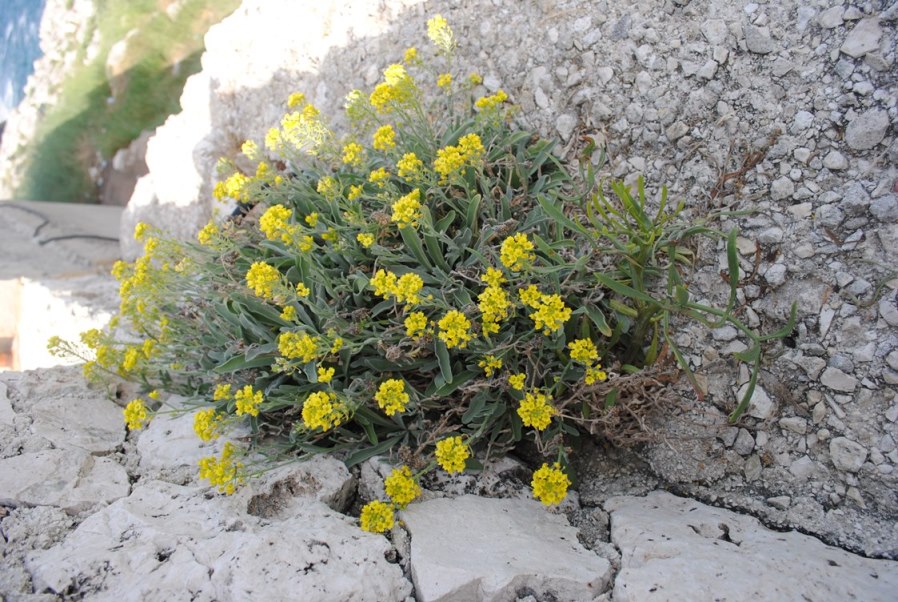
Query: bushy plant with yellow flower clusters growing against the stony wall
x=426, y=286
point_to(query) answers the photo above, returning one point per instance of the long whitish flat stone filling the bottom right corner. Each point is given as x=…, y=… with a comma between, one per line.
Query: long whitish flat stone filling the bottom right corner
x=675, y=549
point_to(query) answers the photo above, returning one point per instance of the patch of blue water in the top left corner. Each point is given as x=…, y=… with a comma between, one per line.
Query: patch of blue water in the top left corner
x=19, y=47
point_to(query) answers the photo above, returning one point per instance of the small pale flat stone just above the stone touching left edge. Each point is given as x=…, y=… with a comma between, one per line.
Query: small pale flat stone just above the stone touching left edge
x=95, y=425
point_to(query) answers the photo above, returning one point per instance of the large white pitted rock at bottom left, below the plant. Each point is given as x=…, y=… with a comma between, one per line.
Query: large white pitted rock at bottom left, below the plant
x=164, y=540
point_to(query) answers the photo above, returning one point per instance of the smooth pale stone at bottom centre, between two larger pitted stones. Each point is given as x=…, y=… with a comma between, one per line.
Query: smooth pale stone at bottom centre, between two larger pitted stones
x=509, y=546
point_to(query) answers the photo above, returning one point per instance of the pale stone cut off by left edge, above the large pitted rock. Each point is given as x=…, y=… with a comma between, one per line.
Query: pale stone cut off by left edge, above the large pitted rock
x=70, y=479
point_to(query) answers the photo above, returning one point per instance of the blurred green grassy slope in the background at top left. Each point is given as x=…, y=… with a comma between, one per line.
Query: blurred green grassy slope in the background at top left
x=87, y=122
